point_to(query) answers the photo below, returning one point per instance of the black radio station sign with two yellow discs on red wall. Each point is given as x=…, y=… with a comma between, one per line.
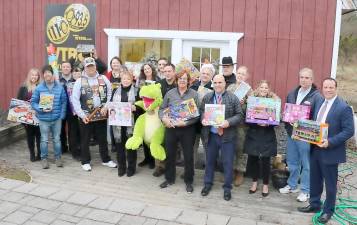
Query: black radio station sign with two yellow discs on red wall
x=68, y=27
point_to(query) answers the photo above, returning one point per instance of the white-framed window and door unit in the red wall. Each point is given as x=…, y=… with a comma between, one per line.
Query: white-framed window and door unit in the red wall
x=133, y=45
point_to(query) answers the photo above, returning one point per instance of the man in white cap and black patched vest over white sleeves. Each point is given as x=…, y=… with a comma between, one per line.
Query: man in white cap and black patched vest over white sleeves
x=90, y=94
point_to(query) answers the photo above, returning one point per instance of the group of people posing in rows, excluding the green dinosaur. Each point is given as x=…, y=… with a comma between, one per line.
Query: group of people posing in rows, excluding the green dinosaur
x=238, y=145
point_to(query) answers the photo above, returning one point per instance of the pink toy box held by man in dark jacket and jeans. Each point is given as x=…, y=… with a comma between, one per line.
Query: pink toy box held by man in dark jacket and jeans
x=293, y=113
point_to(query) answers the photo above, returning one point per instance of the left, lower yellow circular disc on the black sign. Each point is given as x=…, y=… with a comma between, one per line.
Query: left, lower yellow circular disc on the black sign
x=57, y=30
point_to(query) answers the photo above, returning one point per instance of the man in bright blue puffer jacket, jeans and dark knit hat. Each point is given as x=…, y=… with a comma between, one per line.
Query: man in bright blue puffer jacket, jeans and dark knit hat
x=49, y=101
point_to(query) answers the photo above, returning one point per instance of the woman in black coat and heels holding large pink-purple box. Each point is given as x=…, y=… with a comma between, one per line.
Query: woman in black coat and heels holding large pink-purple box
x=260, y=144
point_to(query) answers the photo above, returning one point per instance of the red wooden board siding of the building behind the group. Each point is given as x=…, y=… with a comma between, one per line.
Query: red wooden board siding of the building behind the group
x=280, y=36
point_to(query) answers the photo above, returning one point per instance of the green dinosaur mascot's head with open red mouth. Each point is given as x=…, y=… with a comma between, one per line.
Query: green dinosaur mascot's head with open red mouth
x=151, y=97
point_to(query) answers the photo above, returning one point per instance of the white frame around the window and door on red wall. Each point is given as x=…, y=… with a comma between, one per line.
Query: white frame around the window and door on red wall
x=177, y=38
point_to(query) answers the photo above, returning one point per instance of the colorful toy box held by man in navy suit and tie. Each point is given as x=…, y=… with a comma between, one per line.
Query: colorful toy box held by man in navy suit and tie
x=310, y=131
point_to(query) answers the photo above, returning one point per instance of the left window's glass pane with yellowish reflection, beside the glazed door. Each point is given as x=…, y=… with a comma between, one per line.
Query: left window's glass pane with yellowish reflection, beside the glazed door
x=136, y=50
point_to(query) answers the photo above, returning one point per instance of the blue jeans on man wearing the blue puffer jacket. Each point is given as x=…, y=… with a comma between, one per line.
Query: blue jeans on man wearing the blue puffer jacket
x=55, y=128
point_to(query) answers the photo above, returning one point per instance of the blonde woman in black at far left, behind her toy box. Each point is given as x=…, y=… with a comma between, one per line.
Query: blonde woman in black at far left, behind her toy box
x=32, y=132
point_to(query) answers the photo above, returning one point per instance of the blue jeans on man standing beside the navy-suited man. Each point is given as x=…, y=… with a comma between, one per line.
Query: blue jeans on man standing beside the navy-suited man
x=297, y=157
